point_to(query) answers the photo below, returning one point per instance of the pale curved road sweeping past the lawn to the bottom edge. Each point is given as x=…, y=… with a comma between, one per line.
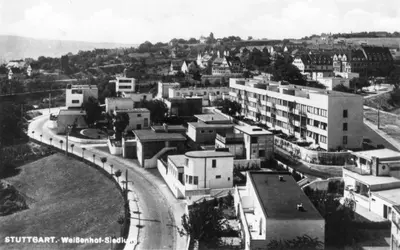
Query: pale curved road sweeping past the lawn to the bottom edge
x=157, y=223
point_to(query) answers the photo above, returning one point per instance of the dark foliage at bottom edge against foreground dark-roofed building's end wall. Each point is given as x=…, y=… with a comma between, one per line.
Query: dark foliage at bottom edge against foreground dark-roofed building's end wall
x=304, y=242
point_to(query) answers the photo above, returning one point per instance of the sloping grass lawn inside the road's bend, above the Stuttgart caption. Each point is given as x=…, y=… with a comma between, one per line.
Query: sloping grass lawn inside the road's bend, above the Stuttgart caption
x=65, y=198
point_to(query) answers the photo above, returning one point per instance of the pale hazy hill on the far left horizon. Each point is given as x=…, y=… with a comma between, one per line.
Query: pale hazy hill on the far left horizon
x=17, y=47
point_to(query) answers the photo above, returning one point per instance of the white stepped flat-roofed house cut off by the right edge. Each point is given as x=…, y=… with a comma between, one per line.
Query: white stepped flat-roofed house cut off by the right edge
x=372, y=178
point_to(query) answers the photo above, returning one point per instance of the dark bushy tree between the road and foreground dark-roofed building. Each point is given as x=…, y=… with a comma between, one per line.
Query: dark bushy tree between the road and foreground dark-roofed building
x=204, y=222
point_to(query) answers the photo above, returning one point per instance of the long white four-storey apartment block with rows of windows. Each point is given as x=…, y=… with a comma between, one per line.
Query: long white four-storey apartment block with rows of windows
x=329, y=119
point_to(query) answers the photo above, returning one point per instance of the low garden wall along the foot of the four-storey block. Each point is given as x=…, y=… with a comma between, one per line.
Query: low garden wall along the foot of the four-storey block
x=311, y=156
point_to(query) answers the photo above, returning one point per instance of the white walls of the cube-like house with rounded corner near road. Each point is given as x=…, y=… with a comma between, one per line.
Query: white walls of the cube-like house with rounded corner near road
x=207, y=175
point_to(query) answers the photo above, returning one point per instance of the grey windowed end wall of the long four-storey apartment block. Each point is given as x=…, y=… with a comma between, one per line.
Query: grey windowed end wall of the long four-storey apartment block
x=354, y=120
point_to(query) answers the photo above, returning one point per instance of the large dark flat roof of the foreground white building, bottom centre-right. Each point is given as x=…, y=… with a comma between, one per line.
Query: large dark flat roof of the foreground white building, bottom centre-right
x=279, y=199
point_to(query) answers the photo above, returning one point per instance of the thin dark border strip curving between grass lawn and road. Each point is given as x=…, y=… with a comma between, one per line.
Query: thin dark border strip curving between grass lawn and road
x=126, y=224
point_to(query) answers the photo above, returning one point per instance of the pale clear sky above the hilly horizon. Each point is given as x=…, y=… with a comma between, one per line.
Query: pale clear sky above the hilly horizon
x=133, y=21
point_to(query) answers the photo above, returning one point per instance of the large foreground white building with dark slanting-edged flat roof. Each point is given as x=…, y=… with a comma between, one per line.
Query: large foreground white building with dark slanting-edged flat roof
x=272, y=206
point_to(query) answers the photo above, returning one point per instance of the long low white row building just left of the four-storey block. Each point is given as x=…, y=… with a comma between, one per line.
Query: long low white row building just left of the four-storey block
x=208, y=94
